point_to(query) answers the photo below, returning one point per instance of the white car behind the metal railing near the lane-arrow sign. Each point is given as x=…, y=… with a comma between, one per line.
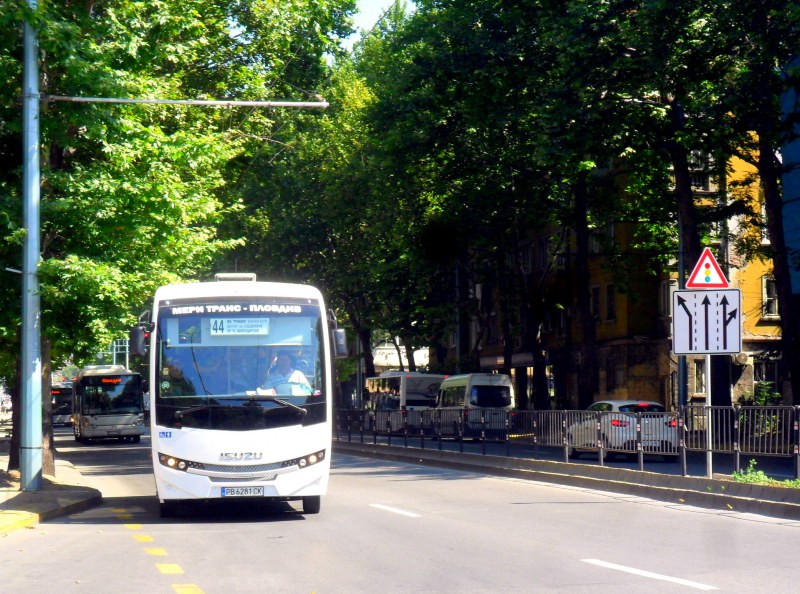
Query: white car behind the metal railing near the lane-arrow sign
x=612, y=423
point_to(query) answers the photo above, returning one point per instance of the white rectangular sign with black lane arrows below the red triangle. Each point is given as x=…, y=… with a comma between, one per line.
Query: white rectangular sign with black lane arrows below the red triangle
x=706, y=322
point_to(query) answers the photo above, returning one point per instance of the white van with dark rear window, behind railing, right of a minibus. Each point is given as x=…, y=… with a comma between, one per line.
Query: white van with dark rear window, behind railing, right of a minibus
x=474, y=405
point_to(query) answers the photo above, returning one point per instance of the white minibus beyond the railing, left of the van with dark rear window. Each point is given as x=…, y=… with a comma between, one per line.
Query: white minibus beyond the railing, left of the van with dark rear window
x=397, y=399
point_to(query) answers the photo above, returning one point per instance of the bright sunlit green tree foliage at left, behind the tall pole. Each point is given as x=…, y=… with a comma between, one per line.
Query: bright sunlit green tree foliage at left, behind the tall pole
x=134, y=196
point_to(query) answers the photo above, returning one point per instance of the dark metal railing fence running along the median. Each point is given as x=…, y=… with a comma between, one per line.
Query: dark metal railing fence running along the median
x=737, y=430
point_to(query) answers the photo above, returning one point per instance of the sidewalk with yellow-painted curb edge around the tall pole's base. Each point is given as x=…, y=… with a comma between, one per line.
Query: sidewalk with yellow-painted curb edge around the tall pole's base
x=63, y=494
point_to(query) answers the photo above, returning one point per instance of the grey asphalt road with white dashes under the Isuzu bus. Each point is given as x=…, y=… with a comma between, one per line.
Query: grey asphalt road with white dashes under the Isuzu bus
x=392, y=527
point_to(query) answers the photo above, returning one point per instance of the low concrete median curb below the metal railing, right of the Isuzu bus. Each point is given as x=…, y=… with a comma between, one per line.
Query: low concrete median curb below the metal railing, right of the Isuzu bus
x=694, y=491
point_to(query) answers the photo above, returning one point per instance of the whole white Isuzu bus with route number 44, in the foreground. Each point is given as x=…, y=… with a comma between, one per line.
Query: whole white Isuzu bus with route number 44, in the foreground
x=227, y=421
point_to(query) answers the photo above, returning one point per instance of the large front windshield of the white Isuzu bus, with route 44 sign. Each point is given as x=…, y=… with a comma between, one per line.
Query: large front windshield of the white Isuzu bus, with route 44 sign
x=243, y=364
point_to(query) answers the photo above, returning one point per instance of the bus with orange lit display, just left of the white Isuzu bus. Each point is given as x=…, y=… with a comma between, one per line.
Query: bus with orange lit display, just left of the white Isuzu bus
x=107, y=403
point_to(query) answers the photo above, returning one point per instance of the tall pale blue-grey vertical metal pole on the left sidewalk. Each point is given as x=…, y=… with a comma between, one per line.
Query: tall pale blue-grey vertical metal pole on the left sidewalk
x=31, y=421
